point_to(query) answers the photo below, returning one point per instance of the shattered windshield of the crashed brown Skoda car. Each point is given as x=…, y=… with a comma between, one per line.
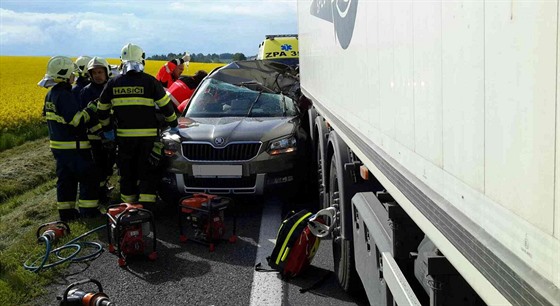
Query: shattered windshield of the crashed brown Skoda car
x=215, y=98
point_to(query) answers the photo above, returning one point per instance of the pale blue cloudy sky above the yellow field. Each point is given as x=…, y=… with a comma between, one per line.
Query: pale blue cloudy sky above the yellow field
x=101, y=28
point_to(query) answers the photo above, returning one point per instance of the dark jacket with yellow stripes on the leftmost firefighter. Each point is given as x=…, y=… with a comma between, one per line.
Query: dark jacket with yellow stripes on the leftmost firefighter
x=66, y=119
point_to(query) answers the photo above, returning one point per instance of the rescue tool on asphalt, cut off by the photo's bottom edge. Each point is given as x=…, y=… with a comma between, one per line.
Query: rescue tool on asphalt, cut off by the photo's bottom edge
x=77, y=297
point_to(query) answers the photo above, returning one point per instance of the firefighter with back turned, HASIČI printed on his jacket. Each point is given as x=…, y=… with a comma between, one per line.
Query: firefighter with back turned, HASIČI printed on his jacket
x=133, y=97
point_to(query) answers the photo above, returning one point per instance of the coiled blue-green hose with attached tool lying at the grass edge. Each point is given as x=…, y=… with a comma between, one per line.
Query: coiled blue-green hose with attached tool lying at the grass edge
x=48, y=234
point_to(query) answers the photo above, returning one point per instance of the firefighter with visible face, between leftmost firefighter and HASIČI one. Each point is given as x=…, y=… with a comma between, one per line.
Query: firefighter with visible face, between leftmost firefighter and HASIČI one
x=103, y=156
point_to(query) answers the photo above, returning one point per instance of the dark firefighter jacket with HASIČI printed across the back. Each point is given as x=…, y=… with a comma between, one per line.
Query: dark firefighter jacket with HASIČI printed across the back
x=133, y=98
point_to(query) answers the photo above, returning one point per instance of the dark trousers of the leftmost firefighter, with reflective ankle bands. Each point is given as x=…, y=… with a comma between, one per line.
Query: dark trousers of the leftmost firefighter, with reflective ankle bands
x=76, y=175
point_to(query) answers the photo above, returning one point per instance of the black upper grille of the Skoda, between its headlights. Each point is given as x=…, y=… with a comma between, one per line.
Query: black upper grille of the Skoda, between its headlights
x=231, y=152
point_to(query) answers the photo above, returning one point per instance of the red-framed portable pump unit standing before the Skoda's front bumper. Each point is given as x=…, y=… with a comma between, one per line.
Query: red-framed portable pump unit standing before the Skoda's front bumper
x=205, y=215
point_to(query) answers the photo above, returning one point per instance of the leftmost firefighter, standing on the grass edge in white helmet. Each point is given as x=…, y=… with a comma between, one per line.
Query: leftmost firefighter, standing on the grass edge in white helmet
x=68, y=142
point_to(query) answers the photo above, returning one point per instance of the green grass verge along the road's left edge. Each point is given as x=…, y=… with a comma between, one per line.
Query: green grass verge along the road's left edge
x=28, y=183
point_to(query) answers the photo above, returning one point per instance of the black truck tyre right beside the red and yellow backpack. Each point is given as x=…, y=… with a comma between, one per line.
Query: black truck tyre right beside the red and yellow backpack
x=343, y=249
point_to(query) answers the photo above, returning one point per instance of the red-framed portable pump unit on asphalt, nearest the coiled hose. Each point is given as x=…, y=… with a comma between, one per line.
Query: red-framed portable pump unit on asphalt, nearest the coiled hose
x=129, y=226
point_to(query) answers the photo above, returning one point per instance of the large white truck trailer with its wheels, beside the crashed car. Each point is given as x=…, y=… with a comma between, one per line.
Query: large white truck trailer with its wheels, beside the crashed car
x=435, y=125
